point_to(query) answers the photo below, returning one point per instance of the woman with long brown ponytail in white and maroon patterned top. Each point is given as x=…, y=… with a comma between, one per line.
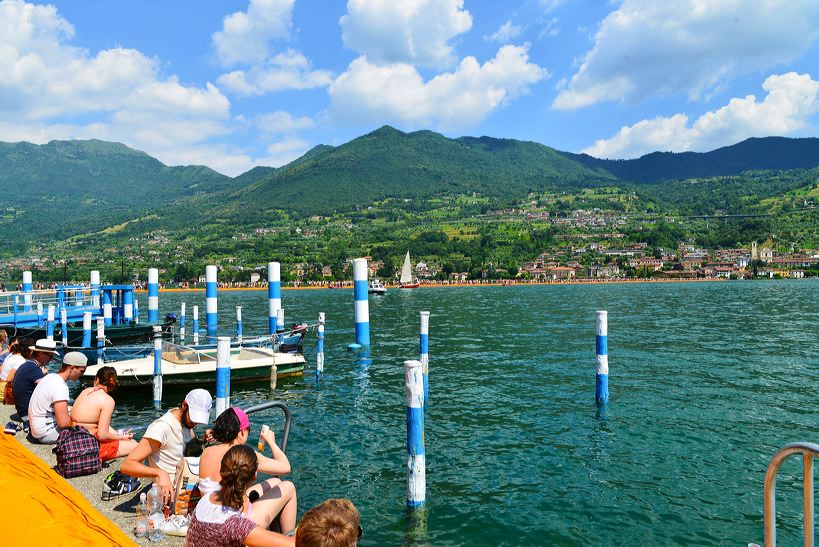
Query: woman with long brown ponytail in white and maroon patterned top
x=226, y=516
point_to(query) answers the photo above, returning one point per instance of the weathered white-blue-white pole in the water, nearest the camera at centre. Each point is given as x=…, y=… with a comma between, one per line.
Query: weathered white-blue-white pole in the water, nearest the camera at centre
x=416, y=458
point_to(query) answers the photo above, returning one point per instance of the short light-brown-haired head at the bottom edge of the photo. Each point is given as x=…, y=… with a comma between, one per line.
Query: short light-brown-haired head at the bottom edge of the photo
x=333, y=523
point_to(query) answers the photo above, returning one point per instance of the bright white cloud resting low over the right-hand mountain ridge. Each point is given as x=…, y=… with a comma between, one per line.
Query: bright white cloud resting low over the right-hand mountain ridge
x=791, y=100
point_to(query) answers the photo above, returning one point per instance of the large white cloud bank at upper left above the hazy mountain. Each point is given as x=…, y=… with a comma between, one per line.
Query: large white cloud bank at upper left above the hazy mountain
x=48, y=87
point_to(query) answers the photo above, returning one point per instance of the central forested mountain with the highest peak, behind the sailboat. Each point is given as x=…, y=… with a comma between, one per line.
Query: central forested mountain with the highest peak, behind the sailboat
x=388, y=163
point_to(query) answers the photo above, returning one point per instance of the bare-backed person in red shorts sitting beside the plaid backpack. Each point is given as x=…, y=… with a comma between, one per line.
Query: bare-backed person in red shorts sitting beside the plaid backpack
x=93, y=410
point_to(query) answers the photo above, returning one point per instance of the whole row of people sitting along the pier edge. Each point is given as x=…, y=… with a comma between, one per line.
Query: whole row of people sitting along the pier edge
x=232, y=509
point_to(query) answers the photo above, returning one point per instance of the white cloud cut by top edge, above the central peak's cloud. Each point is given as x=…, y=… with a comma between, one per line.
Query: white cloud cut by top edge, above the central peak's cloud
x=406, y=31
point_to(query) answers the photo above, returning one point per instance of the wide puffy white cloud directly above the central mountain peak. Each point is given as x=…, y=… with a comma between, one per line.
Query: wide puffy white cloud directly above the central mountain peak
x=461, y=99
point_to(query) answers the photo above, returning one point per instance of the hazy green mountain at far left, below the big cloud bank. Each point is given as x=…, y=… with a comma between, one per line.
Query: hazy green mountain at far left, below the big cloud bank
x=62, y=188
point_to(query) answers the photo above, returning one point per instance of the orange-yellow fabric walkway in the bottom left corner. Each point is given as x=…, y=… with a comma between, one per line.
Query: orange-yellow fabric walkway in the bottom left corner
x=42, y=508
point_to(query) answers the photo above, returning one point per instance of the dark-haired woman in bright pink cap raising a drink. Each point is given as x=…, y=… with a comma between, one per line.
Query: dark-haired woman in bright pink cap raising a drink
x=272, y=497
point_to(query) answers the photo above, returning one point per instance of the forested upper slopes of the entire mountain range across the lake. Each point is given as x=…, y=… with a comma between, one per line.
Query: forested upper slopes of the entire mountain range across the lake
x=68, y=188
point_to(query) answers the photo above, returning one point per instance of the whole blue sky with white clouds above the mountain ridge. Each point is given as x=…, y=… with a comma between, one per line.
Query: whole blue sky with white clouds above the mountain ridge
x=239, y=83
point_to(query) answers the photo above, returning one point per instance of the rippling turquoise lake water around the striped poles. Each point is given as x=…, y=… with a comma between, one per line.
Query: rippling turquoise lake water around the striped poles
x=707, y=381
